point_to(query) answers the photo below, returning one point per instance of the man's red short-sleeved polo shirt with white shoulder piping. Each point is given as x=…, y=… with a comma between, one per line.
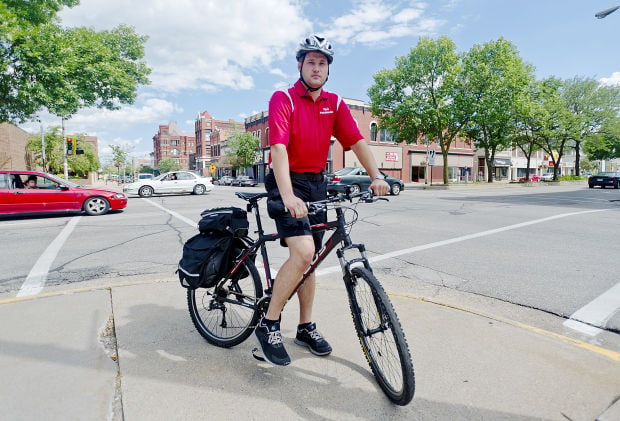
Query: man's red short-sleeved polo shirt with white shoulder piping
x=306, y=126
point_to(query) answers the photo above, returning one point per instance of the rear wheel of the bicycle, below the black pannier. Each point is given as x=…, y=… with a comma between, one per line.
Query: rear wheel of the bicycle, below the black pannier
x=226, y=315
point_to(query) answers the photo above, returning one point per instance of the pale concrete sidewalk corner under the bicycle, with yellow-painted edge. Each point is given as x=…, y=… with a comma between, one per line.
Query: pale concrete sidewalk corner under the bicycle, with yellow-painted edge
x=131, y=352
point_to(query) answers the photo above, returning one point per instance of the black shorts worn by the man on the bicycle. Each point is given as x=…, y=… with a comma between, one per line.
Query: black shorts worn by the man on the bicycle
x=309, y=188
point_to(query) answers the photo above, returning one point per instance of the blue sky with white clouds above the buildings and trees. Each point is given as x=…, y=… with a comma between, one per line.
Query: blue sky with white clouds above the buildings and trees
x=228, y=56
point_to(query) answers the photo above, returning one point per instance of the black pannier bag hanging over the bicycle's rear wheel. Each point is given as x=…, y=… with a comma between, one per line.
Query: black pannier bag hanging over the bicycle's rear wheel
x=207, y=256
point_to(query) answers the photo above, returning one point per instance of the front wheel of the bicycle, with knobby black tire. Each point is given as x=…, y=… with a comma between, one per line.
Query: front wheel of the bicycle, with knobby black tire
x=381, y=336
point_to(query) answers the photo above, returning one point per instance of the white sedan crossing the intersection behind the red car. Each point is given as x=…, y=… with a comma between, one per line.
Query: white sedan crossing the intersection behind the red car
x=171, y=182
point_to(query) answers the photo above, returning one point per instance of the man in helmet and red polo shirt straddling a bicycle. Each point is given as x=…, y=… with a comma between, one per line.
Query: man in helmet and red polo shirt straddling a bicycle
x=302, y=121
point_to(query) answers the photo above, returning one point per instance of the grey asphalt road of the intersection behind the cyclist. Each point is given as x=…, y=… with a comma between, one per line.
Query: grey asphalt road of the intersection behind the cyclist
x=549, y=247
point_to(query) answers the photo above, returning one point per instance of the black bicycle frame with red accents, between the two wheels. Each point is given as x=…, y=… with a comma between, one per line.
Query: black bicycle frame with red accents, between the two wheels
x=339, y=235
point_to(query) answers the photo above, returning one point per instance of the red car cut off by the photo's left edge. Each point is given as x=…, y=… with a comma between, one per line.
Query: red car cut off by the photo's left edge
x=35, y=192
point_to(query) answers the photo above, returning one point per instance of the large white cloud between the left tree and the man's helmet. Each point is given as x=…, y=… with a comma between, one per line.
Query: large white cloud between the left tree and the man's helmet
x=201, y=45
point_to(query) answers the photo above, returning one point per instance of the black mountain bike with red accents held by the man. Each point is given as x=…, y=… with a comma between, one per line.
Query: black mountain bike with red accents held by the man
x=227, y=314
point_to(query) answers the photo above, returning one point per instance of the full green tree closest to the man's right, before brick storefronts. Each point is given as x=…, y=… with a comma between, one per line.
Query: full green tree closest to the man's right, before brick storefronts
x=421, y=96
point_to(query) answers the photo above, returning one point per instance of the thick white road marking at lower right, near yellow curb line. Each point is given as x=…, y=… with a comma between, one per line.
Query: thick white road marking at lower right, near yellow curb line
x=596, y=312
